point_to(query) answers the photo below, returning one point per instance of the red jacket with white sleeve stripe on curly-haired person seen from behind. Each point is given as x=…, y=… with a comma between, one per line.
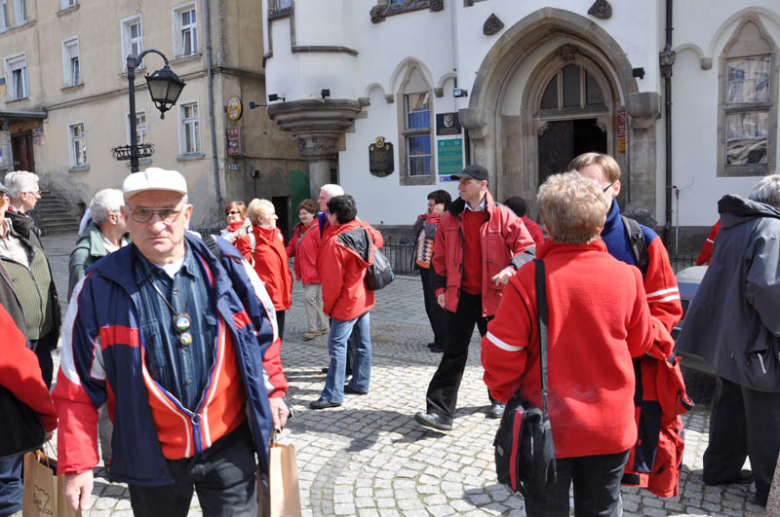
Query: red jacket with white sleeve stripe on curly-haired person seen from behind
x=598, y=320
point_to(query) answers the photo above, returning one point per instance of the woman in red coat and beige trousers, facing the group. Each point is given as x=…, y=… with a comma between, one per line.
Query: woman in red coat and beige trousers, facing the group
x=305, y=246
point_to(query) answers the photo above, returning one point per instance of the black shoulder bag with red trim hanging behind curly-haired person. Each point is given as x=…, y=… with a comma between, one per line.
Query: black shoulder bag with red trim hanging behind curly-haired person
x=525, y=452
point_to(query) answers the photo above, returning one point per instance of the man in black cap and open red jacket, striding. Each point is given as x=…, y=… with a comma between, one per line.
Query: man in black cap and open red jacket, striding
x=479, y=246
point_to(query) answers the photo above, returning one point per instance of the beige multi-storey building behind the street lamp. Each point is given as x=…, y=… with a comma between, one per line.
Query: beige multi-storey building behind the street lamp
x=64, y=103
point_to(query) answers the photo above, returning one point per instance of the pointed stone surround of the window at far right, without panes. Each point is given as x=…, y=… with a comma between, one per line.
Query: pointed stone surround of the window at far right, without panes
x=724, y=170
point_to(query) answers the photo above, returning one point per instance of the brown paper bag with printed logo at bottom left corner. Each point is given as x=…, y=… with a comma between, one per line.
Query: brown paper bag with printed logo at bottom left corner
x=43, y=488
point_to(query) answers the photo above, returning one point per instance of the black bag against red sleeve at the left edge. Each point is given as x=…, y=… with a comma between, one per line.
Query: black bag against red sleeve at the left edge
x=21, y=429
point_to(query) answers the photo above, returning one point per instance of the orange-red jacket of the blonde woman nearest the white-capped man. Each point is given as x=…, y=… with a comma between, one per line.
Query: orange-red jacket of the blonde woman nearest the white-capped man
x=271, y=266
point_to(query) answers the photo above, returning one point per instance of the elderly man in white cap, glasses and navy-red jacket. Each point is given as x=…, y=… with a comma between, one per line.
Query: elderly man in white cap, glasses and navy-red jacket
x=186, y=355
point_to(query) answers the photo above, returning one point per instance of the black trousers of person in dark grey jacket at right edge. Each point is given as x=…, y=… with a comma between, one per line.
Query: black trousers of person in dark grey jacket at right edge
x=743, y=422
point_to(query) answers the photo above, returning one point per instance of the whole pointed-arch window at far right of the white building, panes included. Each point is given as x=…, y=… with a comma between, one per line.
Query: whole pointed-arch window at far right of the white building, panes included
x=748, y=115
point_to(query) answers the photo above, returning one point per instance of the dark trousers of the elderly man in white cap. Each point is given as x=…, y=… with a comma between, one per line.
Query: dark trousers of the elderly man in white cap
x=224, y=476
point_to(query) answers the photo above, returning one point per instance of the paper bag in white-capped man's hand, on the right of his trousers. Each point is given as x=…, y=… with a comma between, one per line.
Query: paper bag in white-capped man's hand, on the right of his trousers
x=285, y=499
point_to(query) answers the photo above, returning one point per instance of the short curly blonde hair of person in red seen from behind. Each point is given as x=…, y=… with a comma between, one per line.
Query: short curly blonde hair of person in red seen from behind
x=572, y=207
